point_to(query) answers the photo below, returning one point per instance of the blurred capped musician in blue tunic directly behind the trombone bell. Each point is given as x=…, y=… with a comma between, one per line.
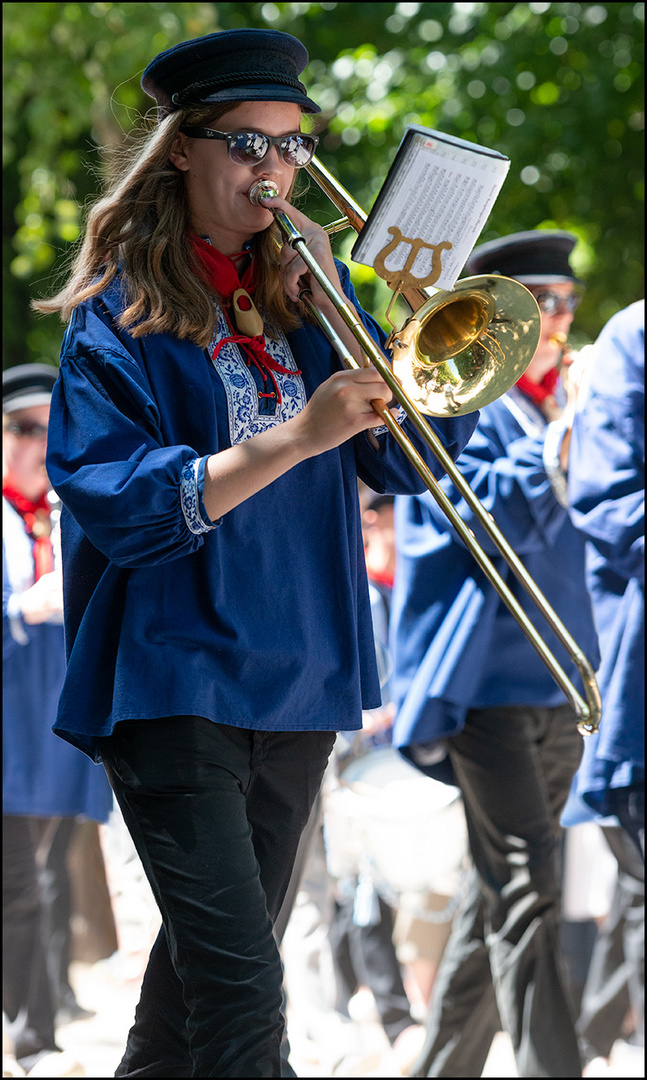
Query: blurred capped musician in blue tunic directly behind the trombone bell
x=478, y=707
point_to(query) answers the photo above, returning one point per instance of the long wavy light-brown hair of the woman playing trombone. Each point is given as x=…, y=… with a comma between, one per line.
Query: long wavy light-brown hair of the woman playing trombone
x=141, y=228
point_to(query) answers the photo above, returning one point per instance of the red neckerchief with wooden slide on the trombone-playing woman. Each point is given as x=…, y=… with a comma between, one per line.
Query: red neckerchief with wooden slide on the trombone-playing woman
x=223, y=277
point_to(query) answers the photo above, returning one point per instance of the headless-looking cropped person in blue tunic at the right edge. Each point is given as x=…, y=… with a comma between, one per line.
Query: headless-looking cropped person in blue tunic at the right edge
x=606, y=494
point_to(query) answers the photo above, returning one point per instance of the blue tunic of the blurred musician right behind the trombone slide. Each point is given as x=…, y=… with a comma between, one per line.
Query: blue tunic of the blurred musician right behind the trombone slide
x=456, y=646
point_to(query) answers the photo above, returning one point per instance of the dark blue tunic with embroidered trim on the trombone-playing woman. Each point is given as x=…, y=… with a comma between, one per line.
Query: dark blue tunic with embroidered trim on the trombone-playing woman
x=261, y=620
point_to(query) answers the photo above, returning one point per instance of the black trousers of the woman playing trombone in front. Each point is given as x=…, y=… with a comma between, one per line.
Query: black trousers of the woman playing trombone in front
x=215, y=814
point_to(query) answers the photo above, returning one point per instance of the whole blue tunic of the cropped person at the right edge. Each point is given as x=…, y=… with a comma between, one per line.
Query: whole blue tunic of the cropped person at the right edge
x=606, y=490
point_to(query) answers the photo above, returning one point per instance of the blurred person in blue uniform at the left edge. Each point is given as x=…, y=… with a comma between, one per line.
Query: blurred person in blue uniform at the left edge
x=47, y=784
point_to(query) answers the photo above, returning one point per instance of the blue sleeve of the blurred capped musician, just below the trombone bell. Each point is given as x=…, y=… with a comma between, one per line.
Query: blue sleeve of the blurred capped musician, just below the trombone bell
x=506, y=470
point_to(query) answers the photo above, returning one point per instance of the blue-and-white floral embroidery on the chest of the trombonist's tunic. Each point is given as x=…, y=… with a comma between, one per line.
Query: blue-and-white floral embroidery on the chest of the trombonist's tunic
x=246, y=418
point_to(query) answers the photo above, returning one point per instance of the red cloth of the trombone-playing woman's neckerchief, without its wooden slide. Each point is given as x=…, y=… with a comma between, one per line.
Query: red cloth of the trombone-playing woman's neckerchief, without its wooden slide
x=221, y=275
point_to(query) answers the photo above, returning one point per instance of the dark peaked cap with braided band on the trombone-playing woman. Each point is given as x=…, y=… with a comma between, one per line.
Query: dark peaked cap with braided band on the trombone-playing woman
x=230, y=66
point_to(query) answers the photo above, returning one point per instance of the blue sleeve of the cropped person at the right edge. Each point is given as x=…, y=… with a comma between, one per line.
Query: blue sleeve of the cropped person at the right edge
x=606, y=467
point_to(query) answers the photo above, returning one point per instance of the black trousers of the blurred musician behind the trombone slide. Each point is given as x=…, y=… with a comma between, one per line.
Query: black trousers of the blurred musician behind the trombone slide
x=502, y=967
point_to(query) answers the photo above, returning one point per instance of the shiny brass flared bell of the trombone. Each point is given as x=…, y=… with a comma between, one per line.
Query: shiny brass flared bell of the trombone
x=464, y=349
